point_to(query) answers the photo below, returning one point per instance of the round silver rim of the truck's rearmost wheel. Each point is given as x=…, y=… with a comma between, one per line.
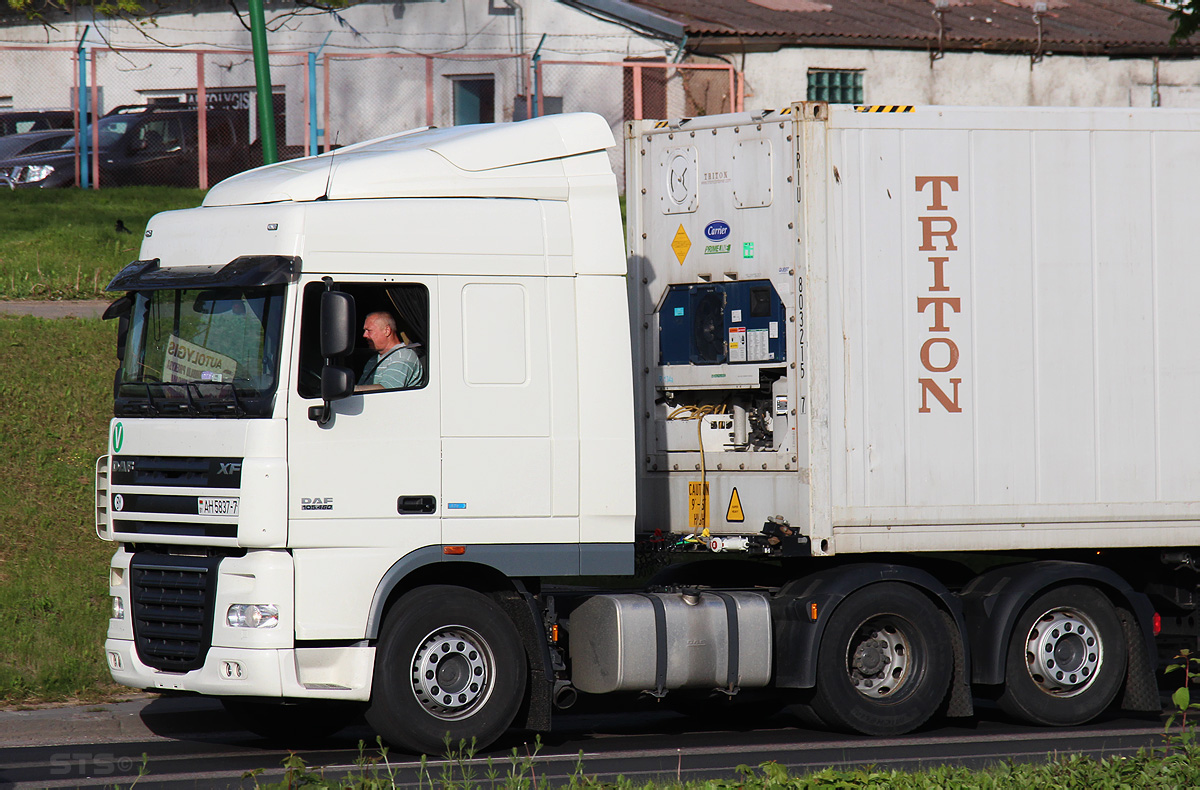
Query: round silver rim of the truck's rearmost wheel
x=1063, y=653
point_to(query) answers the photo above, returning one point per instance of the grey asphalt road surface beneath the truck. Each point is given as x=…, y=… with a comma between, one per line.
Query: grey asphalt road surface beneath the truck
x=191, y=744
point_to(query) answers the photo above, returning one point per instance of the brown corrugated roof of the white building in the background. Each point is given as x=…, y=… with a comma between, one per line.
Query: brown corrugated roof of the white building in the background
x=1113, y=28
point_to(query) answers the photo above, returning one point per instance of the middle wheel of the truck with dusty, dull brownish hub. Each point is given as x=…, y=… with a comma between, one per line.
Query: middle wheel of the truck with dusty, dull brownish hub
x=885, y=662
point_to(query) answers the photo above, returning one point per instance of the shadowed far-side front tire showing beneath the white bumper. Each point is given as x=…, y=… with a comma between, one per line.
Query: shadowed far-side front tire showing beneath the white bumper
x=292, y=723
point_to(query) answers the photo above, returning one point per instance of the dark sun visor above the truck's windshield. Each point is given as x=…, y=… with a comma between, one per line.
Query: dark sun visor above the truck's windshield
x=248, y=272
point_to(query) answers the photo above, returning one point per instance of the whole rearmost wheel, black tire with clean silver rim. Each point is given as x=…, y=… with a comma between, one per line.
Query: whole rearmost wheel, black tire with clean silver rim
x=1066, y=659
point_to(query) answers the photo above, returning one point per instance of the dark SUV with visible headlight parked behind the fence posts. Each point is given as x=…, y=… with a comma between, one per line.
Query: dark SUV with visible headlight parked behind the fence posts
x=143, y=146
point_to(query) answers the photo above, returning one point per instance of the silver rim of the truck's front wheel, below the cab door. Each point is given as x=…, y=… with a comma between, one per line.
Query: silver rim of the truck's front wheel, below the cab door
x=453, y=673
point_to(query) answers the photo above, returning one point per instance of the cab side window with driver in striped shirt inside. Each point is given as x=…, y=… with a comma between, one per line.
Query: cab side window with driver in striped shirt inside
x=394, y=337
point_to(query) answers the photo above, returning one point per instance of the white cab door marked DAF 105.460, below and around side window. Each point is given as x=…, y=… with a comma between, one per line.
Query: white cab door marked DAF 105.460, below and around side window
x=364, y=490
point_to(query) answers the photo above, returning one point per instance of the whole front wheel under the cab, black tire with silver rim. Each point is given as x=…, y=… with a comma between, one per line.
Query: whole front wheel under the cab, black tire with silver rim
x=449, y=665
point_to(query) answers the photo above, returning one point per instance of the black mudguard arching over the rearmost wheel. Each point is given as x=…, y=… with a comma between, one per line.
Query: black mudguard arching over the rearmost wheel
x=994, y=601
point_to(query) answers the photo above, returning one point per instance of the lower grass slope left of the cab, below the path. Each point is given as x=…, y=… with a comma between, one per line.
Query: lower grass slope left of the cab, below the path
x=56, y=398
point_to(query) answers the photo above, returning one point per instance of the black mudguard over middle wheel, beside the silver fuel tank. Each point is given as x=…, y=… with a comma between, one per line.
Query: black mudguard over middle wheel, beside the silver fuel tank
x=799, y=638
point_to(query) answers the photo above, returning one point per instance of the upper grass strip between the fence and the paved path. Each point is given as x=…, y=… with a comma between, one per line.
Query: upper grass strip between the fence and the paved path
x=64, y=244
